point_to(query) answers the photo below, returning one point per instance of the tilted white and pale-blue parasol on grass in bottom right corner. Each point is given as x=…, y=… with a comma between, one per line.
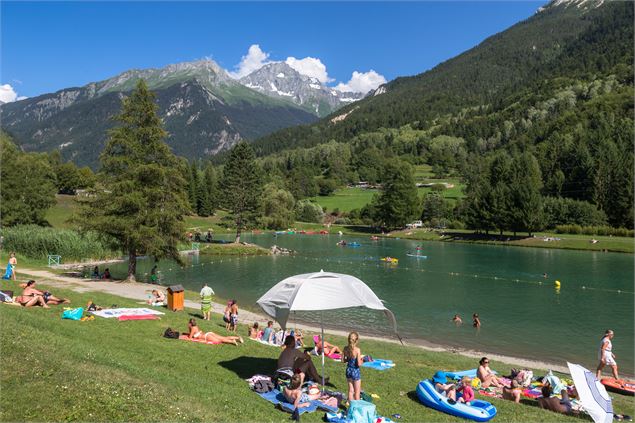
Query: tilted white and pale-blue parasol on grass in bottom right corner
x=593, y=396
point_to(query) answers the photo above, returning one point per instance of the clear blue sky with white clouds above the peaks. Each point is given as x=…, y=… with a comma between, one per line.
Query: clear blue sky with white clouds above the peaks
x=48, y=46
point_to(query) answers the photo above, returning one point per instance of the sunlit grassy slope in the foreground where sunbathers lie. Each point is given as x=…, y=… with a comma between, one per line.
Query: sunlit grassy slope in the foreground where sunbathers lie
x=106, y=370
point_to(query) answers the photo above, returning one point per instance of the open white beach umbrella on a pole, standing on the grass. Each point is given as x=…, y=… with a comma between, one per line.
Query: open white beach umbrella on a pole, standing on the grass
x=318, y=292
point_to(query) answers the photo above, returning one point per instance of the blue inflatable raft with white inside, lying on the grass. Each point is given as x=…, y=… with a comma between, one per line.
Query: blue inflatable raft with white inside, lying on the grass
x=478, y=410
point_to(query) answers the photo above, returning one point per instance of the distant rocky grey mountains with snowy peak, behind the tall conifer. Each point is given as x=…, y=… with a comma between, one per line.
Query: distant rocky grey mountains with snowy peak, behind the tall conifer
x=204, y=110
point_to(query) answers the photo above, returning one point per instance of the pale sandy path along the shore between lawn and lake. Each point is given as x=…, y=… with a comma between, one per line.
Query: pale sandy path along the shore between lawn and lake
x=140, y=290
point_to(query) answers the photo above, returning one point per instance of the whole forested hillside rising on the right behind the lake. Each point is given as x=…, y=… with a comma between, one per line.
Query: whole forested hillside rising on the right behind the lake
x=547, y=103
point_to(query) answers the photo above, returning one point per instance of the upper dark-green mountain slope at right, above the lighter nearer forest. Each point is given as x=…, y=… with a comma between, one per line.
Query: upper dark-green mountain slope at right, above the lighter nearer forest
x=561, y=40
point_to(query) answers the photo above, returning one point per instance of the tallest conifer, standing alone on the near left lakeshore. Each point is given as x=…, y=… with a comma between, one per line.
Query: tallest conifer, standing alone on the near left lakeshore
x=143, y=196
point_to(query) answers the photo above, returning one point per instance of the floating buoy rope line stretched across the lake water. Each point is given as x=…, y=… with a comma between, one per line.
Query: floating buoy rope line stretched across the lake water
x=392, y=267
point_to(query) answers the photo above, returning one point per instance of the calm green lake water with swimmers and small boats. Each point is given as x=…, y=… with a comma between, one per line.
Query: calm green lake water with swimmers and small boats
x=522, y=314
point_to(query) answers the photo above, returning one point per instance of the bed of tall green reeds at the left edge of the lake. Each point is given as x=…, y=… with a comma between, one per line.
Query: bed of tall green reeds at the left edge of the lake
x=37, y=242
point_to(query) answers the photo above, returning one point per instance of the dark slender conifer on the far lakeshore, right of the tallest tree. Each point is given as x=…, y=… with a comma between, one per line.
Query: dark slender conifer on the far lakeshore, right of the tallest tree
x=241, y=187
